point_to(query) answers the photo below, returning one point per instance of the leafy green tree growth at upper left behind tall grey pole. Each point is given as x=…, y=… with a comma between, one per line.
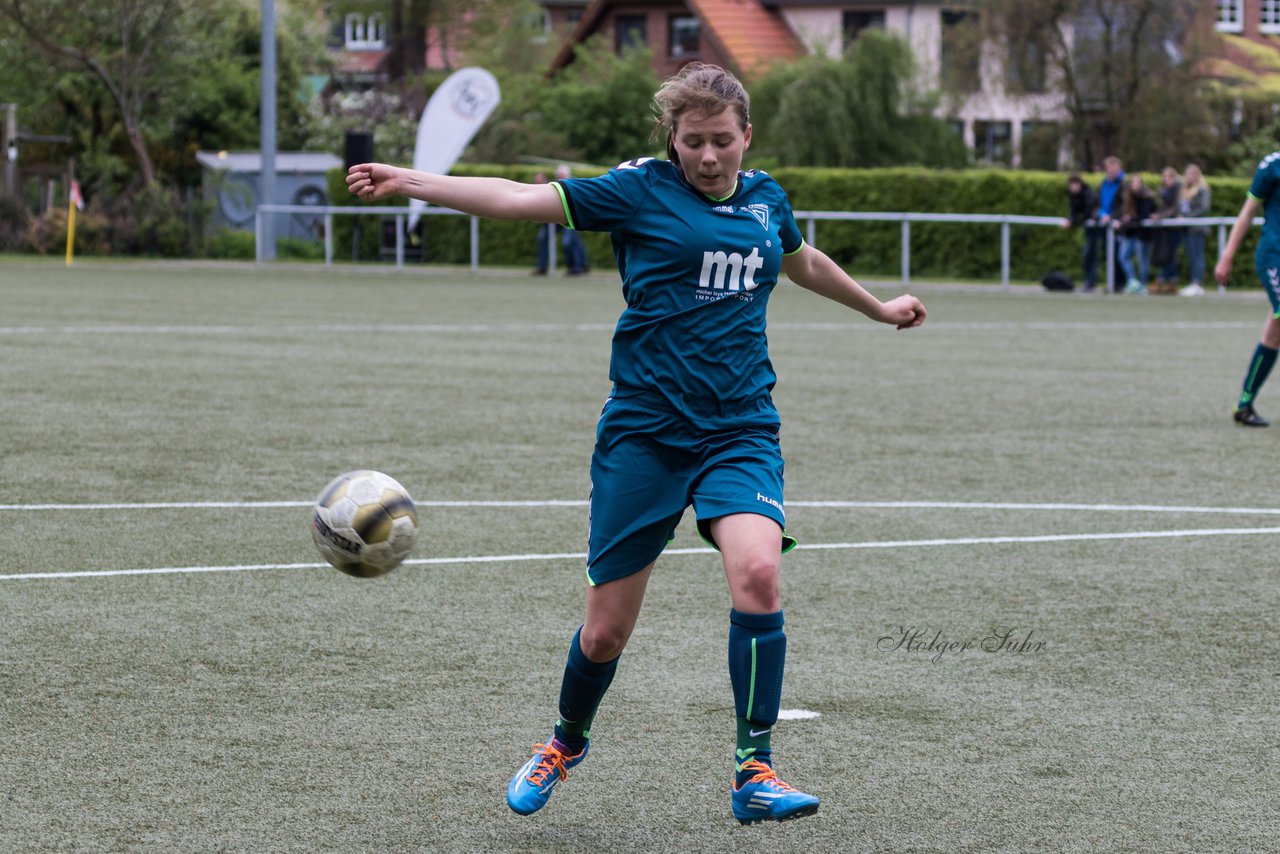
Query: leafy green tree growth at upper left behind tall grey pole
x=140, y=85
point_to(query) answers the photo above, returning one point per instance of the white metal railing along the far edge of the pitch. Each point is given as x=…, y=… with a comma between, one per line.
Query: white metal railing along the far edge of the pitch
x=810, y=217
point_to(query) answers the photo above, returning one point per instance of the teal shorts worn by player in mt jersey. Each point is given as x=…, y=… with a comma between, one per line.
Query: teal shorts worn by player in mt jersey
x=651, y=464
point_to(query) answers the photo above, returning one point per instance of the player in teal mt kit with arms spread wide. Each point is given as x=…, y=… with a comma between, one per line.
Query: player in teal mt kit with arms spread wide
x=691, y=419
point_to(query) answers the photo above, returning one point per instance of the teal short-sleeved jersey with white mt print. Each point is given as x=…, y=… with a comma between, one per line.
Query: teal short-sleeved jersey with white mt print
x=697, y=277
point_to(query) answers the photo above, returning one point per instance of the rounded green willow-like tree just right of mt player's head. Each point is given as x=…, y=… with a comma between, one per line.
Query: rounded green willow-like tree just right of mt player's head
x=860, y=111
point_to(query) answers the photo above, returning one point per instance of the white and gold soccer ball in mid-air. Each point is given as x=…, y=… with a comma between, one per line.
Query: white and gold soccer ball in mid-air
x=364, y=523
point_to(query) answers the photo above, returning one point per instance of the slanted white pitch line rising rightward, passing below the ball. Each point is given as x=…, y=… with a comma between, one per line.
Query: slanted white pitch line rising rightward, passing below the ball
x=582, y=556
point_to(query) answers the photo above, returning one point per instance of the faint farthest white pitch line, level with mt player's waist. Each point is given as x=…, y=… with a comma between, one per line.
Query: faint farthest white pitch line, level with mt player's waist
x=438, y=328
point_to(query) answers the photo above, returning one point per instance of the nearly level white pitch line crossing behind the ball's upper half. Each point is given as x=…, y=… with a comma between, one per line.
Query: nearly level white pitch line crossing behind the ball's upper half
x=825, y=505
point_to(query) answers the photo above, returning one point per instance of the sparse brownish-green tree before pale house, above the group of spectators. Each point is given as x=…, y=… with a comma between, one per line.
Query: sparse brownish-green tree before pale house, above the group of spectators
x=1124, y=68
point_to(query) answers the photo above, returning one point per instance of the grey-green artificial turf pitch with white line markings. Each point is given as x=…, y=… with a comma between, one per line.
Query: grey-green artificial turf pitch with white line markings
x=1054, y=477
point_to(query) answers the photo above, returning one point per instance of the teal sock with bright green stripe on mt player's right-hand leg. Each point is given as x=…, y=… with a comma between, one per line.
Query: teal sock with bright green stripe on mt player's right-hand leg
x=757, y=655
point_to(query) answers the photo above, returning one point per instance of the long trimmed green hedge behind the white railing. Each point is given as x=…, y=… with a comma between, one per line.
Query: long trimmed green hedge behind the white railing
x=939, y=250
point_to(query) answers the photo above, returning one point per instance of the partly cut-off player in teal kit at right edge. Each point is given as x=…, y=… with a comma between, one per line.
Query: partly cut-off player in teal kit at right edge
x=1265, y=195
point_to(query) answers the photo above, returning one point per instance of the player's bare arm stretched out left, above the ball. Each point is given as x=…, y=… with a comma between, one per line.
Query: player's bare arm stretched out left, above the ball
x=488, y=198
